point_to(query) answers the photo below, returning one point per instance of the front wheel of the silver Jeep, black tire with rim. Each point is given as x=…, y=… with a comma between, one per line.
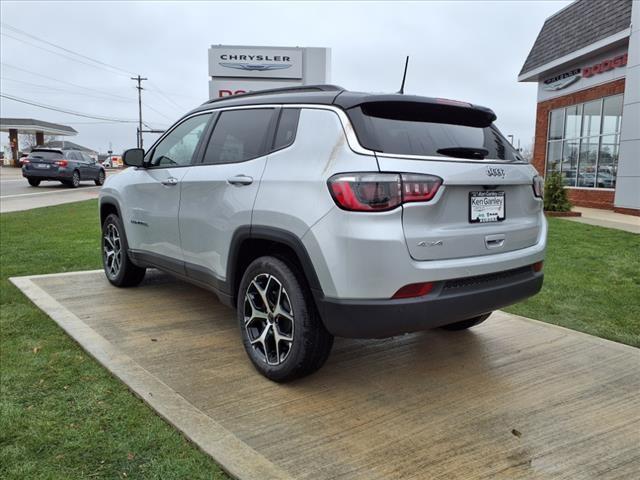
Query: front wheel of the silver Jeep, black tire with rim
x=126, y=274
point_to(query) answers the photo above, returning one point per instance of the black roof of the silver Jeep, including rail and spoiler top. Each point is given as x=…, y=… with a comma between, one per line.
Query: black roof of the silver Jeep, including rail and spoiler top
x=330, y=95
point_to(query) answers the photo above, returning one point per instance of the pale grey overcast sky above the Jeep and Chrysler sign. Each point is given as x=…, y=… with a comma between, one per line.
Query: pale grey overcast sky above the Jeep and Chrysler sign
x=465, y=50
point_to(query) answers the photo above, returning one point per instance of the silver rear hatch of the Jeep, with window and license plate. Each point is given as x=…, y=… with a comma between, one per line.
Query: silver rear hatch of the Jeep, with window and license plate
x=486, y=203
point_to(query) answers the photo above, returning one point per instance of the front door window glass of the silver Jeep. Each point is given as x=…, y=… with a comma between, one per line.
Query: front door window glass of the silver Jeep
x=178, y=147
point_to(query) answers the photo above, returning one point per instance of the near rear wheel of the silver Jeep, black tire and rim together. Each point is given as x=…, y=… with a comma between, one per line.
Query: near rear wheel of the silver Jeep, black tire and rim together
x=310, y=343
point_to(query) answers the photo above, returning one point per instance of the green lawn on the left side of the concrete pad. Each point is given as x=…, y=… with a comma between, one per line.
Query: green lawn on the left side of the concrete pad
x=61, y=414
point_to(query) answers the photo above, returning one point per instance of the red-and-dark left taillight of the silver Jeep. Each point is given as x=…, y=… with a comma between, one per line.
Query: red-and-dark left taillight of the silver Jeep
x=379, y=192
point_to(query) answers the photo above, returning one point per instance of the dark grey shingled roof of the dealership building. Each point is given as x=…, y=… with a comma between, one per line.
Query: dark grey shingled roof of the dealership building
x=576, y=26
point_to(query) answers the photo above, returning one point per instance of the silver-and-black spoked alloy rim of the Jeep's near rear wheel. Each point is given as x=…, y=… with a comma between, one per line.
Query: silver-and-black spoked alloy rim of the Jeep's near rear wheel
x=268, y=319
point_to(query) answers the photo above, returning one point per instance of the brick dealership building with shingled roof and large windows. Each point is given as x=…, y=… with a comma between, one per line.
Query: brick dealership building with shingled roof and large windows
x=586, y=62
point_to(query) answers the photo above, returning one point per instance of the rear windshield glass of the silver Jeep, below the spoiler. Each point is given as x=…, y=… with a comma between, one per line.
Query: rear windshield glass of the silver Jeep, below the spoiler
x=413, y=136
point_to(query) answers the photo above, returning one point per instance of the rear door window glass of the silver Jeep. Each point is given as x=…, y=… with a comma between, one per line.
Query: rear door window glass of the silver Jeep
x=239, y=135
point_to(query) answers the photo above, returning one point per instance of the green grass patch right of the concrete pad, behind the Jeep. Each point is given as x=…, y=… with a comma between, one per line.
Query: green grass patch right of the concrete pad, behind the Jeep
x=591, y=283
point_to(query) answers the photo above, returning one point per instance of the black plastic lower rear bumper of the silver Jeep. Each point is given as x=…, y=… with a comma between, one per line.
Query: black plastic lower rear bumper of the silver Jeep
x=450, y=301
